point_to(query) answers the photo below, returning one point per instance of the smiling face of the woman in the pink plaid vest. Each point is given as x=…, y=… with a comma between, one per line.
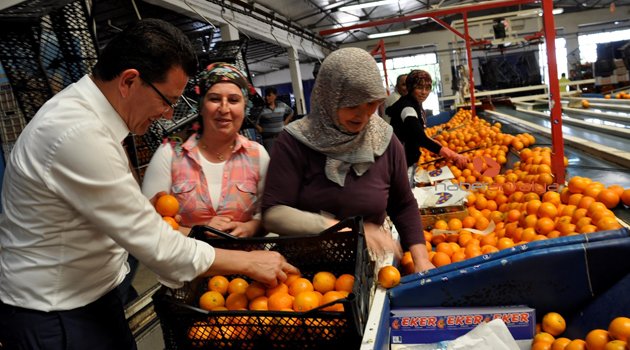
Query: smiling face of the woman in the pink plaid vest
x=223, y=109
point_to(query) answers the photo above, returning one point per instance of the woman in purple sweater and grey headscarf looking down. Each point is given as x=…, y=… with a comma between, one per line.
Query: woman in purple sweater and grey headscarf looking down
x=341, y=161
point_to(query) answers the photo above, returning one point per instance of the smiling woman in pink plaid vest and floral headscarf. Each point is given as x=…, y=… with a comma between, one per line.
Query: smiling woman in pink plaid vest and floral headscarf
x=217, y=174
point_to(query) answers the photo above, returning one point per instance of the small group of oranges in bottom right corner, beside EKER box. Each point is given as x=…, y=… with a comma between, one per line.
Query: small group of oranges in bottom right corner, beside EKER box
x=616, y=337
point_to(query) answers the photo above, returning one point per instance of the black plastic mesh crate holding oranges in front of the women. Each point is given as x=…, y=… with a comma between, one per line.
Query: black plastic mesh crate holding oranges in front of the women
x=337, y=250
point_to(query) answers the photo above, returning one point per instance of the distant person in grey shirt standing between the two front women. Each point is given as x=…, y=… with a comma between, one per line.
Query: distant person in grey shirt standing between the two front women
x=273, y=118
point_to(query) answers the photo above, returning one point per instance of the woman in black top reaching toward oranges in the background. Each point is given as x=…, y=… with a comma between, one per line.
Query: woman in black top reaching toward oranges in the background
x=409, y=121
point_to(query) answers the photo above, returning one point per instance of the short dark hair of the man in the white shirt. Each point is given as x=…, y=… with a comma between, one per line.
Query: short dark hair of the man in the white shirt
x=151, y=46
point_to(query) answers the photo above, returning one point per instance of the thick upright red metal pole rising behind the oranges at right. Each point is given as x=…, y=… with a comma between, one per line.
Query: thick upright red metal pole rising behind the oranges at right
x=557, y=142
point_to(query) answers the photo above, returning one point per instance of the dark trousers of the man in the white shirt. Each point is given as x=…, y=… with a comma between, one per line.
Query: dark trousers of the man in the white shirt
x=98, y=325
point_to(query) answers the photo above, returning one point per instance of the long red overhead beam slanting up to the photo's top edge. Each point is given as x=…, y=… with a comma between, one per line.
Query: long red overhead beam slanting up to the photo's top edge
x=432, y=13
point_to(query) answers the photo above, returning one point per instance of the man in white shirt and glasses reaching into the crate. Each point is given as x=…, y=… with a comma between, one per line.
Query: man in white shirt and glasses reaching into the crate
x=72, y=209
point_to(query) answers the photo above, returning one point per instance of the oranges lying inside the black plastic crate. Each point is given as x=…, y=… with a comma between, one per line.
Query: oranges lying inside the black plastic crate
x=295, y=294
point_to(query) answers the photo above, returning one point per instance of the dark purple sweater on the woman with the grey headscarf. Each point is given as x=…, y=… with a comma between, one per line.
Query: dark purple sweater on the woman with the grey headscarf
x=296, y=178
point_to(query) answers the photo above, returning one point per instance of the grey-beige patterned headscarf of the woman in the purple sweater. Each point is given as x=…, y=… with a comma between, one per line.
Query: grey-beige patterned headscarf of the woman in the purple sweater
x=348, y=77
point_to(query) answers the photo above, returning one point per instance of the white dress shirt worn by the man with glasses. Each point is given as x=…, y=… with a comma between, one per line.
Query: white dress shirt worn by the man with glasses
x=72, y=210
